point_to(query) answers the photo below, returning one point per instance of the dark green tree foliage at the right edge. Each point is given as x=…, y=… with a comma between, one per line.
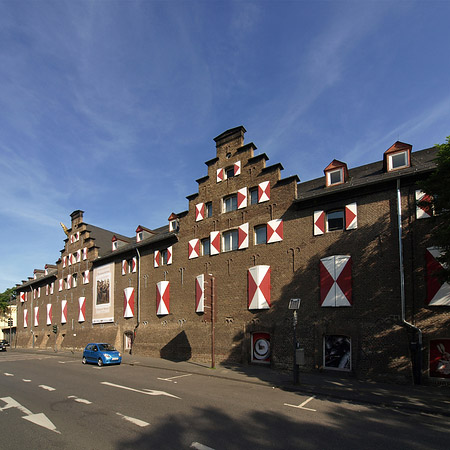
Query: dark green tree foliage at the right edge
x=437, y=185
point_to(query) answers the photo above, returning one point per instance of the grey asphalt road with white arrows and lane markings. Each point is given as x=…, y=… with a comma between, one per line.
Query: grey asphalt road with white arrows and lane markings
x=55, y=402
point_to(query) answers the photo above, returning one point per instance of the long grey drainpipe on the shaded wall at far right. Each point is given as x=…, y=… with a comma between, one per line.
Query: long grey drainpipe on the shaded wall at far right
x=416, y=347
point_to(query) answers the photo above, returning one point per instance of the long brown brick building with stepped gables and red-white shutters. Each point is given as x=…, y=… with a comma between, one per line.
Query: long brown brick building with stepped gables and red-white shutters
x=251, y=240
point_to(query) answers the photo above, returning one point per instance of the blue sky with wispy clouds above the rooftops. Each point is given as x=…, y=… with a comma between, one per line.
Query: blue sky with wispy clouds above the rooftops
x=111, y=107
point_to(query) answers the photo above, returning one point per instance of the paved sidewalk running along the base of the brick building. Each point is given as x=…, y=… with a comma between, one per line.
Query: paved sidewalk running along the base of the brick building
x=423, y=399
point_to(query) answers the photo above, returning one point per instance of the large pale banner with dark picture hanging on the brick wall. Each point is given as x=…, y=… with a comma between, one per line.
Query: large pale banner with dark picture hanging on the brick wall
x=103, y=298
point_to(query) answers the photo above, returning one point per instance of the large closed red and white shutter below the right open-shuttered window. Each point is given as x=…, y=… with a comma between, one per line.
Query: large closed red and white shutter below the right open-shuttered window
x=336, y=281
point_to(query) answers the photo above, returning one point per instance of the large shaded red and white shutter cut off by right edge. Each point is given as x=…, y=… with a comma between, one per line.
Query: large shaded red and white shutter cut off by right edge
x=438, y=293
